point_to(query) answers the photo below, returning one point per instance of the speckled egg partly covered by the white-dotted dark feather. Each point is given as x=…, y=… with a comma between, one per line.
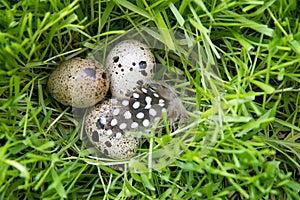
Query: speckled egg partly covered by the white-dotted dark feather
x=107, y=134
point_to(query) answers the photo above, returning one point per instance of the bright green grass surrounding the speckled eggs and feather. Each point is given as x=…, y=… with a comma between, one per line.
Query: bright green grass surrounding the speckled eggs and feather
x=252, y=153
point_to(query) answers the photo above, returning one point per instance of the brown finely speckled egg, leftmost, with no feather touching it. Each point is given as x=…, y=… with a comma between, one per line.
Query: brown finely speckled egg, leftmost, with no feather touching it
x=79, y=82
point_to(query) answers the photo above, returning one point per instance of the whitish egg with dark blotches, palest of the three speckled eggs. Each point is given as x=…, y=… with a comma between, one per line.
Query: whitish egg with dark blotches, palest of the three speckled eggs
x=130, y=63
